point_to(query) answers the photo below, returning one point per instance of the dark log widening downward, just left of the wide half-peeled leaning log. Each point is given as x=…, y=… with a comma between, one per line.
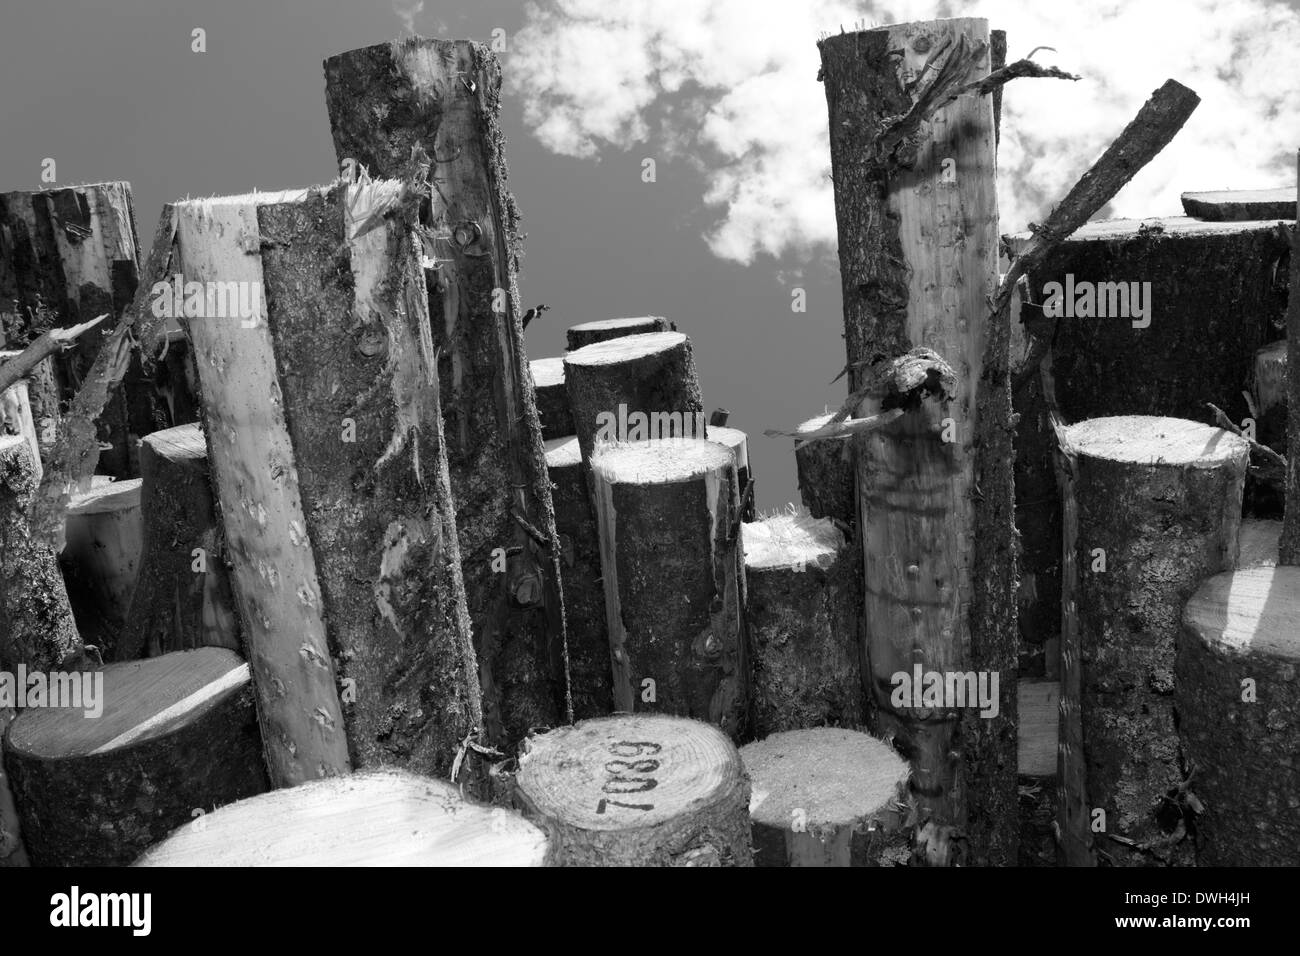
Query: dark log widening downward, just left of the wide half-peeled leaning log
x=183, y=599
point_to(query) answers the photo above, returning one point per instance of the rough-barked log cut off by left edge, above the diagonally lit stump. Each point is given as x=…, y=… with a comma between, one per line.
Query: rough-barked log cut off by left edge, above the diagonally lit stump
x=37, y=625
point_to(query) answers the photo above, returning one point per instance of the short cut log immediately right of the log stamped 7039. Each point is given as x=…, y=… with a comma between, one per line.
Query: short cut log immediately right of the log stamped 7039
x=827, y=798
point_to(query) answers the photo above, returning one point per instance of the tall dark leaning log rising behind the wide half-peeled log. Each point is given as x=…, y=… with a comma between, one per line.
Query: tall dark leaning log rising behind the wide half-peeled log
x=444, y=97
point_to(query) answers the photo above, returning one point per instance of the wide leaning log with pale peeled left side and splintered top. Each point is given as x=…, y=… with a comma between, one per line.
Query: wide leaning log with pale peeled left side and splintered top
x=327, y=460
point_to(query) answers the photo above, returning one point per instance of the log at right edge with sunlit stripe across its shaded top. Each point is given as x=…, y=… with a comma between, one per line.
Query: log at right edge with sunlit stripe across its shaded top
x=1238, y=699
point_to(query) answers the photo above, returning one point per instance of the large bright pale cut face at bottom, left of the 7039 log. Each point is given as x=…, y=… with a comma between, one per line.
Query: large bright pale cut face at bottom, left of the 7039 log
x=374, y=819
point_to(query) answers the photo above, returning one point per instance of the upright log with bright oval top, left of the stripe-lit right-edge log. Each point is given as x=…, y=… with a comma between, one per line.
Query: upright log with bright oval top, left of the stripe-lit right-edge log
x=1162, y=499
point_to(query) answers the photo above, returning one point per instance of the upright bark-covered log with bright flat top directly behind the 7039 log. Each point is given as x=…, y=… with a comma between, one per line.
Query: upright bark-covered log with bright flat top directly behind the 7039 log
x=673, y=572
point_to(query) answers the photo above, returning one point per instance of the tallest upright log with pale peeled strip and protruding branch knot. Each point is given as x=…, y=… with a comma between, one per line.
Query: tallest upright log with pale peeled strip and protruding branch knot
x=917, y=223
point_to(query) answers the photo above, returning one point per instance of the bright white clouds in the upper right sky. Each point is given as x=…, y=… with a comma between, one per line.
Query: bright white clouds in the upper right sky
x=731, y=84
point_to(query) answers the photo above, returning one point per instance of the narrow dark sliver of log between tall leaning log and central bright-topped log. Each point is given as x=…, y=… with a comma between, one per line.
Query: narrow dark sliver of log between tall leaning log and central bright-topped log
x=591, y=673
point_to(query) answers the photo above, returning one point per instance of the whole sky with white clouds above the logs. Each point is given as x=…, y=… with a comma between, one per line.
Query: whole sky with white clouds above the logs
x=722, y=94
